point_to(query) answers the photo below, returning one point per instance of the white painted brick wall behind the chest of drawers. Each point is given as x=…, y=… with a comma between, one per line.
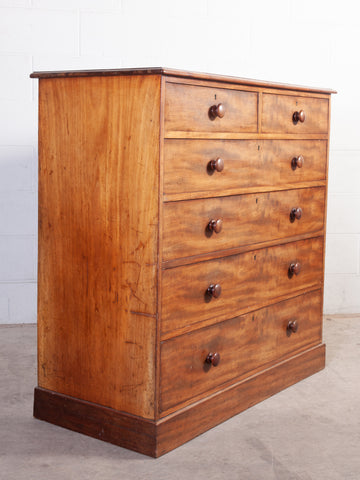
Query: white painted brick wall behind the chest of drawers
x=303, y=42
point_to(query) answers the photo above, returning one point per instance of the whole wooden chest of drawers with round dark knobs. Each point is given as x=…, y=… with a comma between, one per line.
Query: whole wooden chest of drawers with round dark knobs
x=181, y=249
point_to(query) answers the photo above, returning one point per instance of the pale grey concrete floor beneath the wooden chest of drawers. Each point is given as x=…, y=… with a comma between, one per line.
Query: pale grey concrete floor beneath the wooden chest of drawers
x=309, y=431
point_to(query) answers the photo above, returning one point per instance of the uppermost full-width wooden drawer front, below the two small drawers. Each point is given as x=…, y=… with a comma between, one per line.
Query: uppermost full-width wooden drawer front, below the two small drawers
x=190, y=165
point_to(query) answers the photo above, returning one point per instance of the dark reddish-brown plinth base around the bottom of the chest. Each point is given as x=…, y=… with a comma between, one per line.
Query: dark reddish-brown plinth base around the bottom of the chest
x=154, y=438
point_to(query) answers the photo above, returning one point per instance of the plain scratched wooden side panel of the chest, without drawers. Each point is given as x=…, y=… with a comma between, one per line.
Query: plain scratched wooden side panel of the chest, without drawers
x=98, y=235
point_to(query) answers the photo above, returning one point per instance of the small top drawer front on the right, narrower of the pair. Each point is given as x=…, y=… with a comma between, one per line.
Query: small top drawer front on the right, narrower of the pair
x=278, y=112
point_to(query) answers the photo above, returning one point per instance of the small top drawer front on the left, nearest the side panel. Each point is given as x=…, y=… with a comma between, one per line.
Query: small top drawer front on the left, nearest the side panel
x=187, y=109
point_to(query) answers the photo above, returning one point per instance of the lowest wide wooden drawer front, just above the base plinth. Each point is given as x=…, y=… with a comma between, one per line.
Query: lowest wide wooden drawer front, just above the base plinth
x=242, y=345
